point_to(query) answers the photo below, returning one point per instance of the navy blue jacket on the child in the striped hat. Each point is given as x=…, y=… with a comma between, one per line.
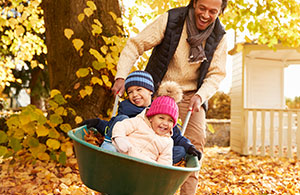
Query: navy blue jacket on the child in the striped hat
x=131, y=110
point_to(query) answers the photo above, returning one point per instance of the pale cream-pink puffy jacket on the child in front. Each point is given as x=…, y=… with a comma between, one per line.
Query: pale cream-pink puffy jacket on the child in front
x=147, y=145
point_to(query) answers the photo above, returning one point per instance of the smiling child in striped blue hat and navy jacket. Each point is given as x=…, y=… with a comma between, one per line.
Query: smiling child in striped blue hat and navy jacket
x=139, y=87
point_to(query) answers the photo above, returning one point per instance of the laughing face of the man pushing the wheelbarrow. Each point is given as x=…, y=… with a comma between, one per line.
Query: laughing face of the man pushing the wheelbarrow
x=206, y=12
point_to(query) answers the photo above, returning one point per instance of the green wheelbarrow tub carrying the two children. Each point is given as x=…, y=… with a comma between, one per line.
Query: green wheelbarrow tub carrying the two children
x=118, y=174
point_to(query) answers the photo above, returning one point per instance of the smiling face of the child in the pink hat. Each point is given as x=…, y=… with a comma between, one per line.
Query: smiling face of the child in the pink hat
x=161, y=123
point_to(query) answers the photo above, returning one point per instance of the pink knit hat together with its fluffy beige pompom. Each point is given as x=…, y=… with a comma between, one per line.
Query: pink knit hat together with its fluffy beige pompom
x=169, y=94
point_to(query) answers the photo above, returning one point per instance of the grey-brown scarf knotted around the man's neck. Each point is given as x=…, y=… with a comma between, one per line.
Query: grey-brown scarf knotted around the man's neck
x=196, y=37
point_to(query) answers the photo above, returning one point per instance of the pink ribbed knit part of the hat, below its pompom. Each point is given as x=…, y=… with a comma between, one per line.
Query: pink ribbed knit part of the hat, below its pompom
x=164, y=105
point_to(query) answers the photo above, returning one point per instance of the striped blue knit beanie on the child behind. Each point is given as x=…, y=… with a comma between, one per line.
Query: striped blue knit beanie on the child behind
x=139, y=78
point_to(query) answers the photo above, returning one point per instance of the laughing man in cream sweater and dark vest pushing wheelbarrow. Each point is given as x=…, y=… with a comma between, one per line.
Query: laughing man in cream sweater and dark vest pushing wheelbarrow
x=189, y=48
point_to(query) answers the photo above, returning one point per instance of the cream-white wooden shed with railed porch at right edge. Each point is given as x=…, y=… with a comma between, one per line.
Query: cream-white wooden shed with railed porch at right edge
x=260, y=122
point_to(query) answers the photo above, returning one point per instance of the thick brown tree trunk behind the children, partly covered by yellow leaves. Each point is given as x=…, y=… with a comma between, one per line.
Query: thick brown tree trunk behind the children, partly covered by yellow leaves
x=63, y=59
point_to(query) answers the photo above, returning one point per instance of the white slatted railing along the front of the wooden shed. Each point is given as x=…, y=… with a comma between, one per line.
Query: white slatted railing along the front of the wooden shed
x=272, y=132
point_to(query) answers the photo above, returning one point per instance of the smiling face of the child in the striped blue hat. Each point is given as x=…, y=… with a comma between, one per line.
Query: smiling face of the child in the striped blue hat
x=139, y=96
